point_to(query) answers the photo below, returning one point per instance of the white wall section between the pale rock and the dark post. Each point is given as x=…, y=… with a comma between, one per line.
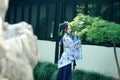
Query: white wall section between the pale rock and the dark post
x=46, y=50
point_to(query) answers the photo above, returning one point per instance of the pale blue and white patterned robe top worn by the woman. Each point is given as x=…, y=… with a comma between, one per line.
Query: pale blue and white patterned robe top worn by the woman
x=72, y=50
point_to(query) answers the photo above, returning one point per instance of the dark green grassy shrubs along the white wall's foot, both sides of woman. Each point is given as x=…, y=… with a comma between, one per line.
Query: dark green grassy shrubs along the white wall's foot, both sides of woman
x=48, y=71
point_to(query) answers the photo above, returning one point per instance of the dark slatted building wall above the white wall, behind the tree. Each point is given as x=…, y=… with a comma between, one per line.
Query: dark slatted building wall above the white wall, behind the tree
x=45, y=15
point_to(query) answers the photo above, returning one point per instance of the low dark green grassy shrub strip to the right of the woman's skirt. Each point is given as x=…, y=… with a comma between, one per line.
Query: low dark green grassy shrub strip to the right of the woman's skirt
x=85, y=75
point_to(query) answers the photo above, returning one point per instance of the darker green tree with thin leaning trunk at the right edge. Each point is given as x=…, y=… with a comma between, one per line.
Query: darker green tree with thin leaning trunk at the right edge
x=103, y=31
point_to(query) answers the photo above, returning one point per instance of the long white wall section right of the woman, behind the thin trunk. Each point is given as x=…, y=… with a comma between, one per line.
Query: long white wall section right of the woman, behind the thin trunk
x=99, y=59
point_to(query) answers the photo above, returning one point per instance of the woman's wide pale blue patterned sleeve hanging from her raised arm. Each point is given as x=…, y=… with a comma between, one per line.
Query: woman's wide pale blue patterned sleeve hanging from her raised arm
x=75, y=51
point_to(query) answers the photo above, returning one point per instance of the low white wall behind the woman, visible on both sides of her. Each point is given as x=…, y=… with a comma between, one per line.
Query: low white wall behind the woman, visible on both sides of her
x=95, y=58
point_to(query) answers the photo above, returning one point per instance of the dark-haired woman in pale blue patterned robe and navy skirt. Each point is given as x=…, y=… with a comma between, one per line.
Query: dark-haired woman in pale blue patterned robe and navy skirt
x=71, y=52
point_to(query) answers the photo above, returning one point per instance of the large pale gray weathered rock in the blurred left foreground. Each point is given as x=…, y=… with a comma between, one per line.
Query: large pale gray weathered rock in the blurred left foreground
x=18, y=48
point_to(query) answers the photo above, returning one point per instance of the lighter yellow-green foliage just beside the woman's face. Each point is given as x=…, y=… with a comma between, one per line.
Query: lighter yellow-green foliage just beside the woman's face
x=81, y=24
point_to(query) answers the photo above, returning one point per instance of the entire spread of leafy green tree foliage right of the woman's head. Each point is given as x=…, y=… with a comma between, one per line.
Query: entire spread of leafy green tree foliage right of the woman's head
x=96, y=30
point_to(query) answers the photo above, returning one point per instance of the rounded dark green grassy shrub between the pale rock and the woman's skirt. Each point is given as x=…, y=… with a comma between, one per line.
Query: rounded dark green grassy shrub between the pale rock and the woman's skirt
x=44, y=71
